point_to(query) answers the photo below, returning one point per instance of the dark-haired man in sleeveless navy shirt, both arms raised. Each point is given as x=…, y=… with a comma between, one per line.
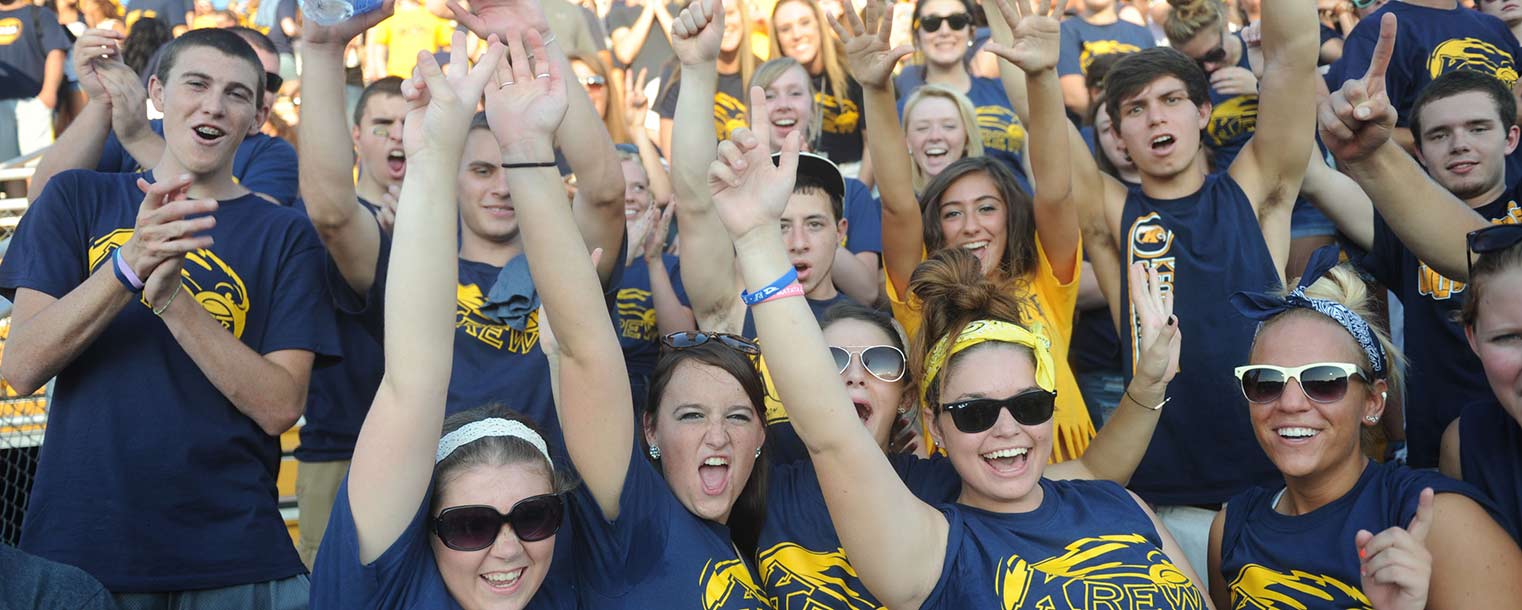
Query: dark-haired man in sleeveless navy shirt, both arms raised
x=1208, y=235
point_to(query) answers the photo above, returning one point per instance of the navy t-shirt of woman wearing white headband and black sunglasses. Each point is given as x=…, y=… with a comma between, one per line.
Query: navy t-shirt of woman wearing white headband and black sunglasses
x=404, y=577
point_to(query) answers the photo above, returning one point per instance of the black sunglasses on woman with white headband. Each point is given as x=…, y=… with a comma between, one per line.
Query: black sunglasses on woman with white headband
x=477, y=527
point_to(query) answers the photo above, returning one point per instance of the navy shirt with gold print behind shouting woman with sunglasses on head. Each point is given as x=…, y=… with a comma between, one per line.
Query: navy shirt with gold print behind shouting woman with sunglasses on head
x=637, y=328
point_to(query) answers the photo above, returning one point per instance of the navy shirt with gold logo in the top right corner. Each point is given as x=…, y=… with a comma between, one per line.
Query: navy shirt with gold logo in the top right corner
x=1430, y=43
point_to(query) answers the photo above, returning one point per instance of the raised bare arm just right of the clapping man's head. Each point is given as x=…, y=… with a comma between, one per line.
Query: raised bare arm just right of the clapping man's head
x=326, y=160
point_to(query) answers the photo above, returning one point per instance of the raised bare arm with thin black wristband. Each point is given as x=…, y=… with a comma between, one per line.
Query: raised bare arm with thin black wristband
x=526, y=109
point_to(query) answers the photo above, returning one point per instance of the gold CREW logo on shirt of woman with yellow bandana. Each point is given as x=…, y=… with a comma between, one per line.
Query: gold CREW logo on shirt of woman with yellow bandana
x=1094, y=574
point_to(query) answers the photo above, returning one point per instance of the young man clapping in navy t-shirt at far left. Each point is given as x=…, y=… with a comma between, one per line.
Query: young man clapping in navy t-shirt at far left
x=182, y=334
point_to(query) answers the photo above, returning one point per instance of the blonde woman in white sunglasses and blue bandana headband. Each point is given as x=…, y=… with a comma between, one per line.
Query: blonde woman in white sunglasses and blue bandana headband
x=1345, y=532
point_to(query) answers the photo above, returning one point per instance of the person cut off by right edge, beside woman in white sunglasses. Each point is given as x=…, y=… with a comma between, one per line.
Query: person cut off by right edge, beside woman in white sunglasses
x=1485, y=445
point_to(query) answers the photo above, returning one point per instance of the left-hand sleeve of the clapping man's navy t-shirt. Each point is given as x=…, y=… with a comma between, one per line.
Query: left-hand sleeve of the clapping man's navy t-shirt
x=49, y=247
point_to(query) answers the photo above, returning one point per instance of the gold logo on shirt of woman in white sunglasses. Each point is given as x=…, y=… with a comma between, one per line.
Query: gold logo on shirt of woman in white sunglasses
x=1258, y=588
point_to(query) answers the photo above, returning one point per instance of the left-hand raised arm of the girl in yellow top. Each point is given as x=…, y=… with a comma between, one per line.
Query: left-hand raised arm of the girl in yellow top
x=871, y=63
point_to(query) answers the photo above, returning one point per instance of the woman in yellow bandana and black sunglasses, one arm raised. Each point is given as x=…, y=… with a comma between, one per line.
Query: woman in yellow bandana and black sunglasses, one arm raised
x=1013, y=539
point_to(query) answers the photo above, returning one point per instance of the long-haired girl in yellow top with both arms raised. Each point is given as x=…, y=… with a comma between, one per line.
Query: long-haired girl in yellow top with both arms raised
x=978, y=206
